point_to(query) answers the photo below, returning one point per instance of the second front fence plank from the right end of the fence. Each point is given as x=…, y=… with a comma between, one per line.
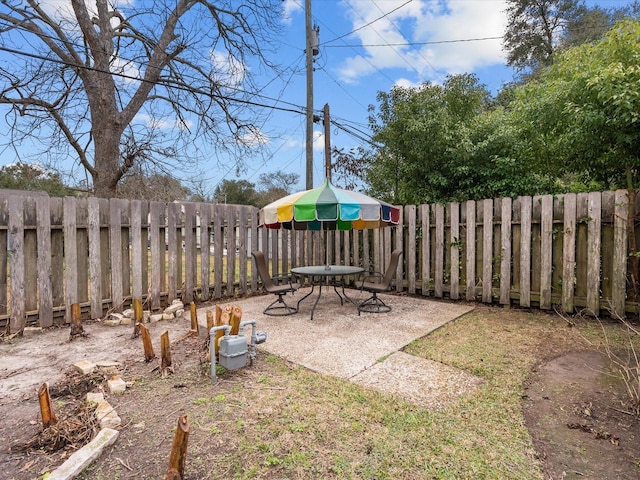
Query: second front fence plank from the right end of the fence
x=593, y=253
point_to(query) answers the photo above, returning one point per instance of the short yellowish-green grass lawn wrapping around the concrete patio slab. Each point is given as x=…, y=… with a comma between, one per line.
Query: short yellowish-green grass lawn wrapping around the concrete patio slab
x=278, y=420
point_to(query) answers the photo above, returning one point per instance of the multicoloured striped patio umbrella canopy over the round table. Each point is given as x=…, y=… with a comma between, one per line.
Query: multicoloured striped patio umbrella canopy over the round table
x=330, y=208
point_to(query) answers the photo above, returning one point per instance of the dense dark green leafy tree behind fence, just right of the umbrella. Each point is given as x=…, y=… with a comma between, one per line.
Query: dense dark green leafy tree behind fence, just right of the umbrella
x=444, y=143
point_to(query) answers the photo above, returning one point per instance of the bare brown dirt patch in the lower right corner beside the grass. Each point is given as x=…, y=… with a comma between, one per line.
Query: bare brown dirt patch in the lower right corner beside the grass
x=577, y=415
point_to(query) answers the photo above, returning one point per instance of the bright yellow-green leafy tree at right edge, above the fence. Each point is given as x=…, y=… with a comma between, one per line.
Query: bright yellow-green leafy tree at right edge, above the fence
x=583, y=114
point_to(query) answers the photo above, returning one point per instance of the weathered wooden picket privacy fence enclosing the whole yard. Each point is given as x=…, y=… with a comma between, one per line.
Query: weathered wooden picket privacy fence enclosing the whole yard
x=566, y=250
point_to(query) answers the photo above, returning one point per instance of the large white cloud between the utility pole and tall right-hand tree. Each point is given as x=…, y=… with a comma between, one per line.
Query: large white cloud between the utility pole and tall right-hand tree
x=421, y=23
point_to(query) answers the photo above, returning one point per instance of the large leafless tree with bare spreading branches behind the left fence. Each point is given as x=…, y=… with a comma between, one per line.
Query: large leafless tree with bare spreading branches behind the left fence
x=117, y=84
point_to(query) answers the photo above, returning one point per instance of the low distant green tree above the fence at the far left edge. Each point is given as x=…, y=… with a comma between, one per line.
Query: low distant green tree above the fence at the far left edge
x=33, y=177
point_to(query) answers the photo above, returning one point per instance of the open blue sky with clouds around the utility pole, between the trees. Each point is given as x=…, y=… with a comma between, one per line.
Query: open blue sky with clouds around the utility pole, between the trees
x=366, y=46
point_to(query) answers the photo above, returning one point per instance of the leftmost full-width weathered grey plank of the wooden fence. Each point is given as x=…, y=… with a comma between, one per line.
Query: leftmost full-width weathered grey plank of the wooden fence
x=16, y=241
